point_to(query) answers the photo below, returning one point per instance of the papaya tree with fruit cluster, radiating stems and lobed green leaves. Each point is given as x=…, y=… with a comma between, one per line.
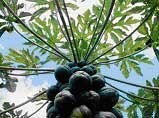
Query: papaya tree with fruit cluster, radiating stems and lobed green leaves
x=108, y=32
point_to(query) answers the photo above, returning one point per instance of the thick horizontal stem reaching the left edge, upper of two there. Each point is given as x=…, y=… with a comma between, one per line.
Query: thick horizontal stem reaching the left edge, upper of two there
x=27, y=69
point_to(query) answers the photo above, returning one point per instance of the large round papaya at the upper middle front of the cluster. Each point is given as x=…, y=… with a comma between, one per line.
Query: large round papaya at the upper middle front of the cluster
x=80, y=81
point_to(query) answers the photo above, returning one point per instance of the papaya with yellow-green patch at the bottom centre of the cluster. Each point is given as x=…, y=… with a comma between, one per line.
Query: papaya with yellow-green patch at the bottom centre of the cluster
x=81, y=112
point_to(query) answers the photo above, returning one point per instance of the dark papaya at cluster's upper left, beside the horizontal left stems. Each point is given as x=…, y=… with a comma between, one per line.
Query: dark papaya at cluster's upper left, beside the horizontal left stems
x=63, y=73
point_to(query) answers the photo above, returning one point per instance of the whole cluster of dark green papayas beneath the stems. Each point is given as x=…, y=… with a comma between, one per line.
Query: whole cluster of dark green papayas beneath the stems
x=81, y=93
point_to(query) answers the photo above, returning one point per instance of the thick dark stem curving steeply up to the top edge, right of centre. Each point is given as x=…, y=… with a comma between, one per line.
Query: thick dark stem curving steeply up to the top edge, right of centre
x=102, y=31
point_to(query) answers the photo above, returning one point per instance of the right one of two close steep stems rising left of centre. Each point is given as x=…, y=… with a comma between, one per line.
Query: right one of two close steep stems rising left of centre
x=73, y=37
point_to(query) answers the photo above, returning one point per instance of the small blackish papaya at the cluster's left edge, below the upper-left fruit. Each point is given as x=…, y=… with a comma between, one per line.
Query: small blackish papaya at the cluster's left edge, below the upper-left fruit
x=51, y=92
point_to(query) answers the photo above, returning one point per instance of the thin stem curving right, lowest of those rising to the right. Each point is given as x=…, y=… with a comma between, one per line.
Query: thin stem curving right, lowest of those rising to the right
x=119, y=59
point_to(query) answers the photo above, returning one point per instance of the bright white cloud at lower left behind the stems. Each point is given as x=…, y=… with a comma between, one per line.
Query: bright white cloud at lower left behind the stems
x=25, y=89
